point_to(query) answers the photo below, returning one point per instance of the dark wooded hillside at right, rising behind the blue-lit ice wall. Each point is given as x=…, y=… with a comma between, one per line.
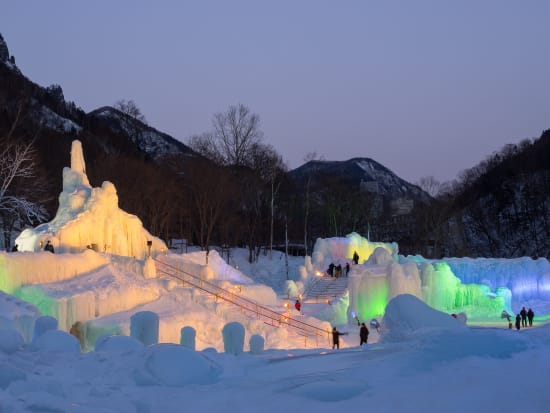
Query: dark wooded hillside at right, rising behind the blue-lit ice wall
x=501, y=208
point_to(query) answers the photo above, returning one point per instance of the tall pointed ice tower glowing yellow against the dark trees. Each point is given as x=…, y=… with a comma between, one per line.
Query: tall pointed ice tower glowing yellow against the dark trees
x=90, y=218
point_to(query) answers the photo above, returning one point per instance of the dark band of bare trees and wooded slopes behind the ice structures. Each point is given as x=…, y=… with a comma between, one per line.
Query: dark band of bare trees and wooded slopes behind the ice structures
x=229, y=188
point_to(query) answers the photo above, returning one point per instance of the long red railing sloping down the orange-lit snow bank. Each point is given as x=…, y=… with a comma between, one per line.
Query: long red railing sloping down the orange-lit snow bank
x=247, y=306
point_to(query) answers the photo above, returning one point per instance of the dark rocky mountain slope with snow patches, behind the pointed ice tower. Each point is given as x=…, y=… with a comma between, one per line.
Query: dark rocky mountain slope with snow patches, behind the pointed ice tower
x=46, y=110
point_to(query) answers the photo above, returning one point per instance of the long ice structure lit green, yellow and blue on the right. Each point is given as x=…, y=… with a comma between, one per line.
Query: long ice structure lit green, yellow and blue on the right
x=481, y=288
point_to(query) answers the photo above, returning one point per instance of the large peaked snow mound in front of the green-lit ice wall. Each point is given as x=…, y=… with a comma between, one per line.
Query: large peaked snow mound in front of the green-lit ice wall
x=406, y=315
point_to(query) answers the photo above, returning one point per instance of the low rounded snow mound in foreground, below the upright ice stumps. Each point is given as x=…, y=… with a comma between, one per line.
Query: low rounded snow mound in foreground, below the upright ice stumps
x=173, y=365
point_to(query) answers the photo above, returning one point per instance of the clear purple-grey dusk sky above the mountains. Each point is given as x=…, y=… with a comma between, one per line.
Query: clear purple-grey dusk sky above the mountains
x=423, y=87
